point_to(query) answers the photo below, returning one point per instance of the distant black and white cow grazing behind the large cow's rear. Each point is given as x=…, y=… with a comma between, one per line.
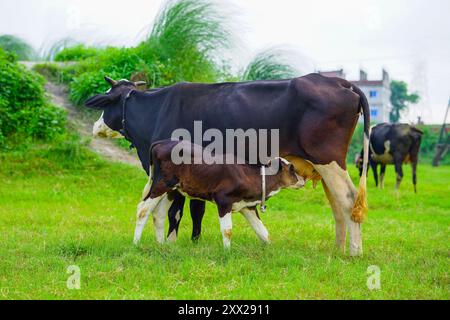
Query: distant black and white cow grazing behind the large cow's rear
x=395, y=144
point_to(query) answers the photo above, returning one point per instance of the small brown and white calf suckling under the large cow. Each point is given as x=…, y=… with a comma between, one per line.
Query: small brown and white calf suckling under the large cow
x=232, y=187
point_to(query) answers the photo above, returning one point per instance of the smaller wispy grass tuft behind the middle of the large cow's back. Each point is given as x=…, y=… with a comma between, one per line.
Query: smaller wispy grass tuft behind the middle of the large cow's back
x=270, y=64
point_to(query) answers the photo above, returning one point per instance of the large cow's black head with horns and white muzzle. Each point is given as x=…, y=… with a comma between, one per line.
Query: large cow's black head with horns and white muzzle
x=110, y=122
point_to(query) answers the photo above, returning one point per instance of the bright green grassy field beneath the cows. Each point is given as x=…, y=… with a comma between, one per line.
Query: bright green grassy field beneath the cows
x=56, y=212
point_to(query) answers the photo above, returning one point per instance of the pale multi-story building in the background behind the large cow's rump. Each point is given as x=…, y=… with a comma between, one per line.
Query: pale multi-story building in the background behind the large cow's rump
x=378, y=93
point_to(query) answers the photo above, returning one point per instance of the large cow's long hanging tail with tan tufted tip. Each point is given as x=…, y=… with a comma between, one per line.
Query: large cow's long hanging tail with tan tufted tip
x=360, y=208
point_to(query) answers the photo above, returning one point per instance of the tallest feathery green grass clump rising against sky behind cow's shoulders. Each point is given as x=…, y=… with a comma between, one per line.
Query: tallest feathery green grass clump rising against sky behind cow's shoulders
x=186, y=36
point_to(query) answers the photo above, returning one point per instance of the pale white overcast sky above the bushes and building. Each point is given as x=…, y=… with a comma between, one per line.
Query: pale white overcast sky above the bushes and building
x=410, y=38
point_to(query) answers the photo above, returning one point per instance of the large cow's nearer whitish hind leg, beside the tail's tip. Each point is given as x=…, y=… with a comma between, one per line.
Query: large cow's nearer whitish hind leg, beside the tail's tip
x=343, y=194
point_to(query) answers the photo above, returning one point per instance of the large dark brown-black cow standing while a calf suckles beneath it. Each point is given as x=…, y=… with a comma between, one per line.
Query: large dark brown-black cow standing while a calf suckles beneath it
x=315, y=115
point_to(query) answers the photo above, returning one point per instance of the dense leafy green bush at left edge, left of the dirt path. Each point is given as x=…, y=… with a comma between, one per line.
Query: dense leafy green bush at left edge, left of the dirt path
x=24, y=109
